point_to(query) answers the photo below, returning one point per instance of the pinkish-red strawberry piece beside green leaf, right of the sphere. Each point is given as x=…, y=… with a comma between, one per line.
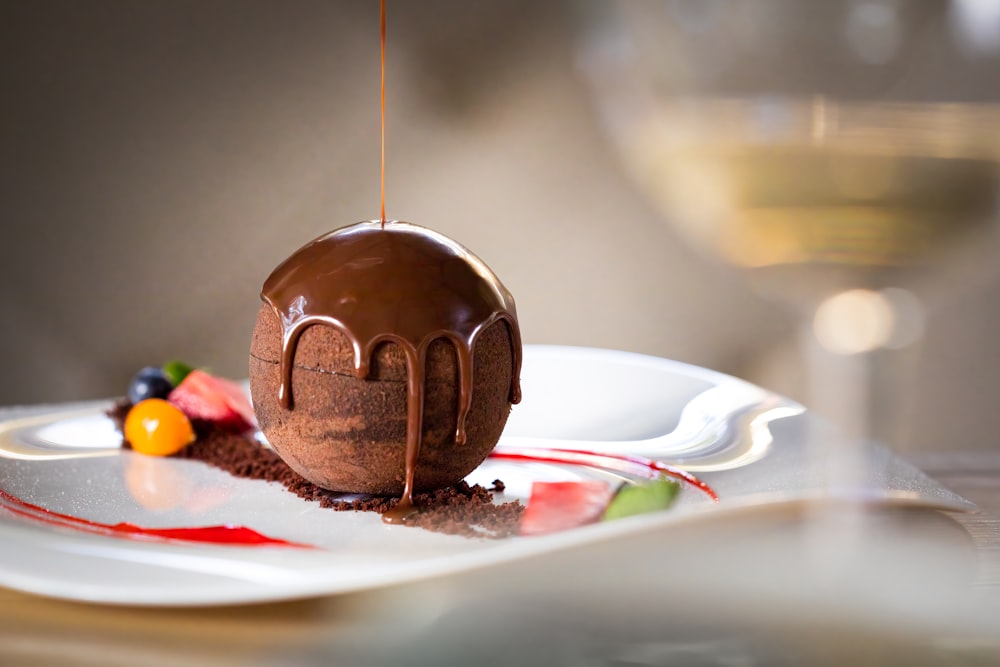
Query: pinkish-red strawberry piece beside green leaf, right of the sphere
x=555, y=506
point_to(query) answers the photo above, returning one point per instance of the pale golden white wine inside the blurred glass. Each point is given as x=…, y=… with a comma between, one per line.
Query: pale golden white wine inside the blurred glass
x=815, y=197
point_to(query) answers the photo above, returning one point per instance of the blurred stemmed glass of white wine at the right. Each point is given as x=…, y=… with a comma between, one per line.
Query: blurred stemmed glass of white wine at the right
x=844, y=155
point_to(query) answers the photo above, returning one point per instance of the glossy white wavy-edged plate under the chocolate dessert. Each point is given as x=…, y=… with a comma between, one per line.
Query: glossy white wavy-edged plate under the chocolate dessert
x=751, y=445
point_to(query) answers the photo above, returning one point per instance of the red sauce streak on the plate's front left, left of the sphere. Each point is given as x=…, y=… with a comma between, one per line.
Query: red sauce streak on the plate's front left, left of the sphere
x=223, y=534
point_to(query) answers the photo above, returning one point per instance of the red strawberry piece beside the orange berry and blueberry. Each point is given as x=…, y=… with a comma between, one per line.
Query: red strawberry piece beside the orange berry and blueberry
x=215, y=399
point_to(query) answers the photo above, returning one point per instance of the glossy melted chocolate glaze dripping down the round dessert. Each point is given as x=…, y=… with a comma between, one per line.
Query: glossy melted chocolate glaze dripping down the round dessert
x=393, y=282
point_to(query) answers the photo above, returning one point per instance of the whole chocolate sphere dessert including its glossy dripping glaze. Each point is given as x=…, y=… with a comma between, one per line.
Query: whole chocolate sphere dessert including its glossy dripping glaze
x=384, y=360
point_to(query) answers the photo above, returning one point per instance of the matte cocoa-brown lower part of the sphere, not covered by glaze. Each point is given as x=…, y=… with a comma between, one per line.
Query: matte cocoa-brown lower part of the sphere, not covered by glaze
x=348, y=434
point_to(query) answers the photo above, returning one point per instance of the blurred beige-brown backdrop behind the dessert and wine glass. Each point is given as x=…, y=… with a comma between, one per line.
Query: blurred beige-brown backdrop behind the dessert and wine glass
x=158, y=159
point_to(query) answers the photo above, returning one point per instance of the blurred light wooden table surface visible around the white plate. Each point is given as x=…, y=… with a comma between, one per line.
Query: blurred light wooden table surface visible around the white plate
x=39, y=631
